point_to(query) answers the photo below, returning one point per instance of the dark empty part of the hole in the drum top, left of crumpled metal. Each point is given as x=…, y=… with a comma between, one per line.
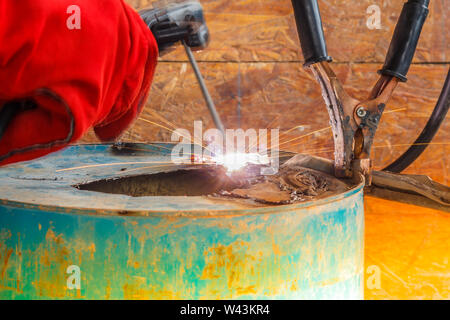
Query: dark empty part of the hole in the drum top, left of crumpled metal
x=185, y=182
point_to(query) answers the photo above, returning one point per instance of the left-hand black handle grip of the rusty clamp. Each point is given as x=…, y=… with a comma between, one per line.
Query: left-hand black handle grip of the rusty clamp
x=309, y=26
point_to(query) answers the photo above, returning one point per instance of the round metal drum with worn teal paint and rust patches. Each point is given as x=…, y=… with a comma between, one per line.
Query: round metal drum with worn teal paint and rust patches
x=60, y=242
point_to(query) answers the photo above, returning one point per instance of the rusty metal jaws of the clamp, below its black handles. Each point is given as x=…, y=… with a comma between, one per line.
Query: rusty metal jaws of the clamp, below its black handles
x=354, y=123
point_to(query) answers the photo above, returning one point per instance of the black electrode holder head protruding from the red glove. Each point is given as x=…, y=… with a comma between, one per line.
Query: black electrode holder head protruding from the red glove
x=175, y=22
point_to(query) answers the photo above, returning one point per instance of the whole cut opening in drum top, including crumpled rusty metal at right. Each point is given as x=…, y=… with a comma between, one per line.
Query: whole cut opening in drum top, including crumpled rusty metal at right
x=292, y=183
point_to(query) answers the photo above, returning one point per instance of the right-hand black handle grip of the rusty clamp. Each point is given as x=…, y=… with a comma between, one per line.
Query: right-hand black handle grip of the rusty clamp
x=404, y=41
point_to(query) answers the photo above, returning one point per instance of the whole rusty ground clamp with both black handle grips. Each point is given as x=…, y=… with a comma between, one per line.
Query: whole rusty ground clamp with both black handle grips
x=354, y=122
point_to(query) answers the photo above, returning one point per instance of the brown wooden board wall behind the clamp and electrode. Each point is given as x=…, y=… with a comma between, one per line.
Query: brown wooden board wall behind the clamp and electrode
x=253, y=68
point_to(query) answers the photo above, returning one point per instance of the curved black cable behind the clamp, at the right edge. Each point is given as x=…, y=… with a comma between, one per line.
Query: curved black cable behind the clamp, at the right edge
x=428, y=133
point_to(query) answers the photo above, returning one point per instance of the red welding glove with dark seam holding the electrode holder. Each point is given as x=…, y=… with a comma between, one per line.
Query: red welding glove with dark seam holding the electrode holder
x=96, y=76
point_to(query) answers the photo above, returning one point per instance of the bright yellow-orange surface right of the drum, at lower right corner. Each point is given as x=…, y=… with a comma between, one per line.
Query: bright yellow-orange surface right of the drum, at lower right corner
x=408, y=247
